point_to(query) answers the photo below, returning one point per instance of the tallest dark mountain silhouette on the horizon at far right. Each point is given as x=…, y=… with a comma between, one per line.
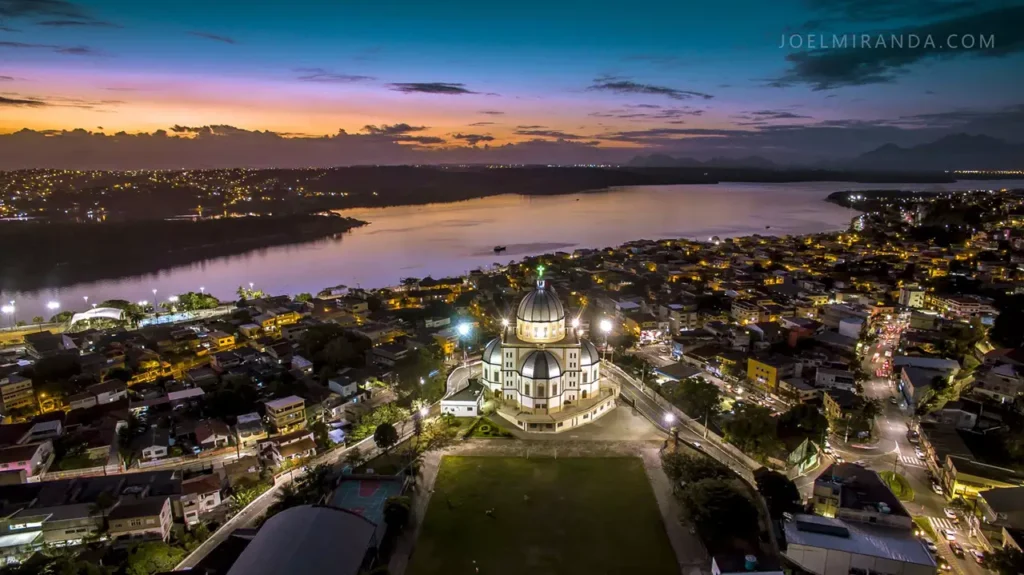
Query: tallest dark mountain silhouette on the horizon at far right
x=957, y=152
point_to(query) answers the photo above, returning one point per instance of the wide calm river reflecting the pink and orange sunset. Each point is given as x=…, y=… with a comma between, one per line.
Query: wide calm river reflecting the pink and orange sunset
x=444, y=240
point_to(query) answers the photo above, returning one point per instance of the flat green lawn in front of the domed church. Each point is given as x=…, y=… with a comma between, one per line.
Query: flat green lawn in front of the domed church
x=552, y=517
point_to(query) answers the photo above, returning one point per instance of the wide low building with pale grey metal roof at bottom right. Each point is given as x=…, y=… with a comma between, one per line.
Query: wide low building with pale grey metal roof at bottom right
x=824, y=546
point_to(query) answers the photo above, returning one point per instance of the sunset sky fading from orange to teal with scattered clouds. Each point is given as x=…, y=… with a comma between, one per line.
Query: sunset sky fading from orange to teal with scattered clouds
x=119, y=84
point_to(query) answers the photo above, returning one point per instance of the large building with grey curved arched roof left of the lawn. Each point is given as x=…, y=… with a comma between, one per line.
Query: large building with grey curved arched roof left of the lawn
x=311, y=540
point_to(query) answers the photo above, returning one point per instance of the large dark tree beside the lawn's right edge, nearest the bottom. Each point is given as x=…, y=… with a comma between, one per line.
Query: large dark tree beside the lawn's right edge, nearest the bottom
x=719, y=511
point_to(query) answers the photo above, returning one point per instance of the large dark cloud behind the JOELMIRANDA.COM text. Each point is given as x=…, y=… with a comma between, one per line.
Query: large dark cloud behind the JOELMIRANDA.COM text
x=833, y=68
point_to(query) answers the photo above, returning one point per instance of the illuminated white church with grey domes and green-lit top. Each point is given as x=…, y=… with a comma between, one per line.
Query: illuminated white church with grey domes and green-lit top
x=547, y=377
